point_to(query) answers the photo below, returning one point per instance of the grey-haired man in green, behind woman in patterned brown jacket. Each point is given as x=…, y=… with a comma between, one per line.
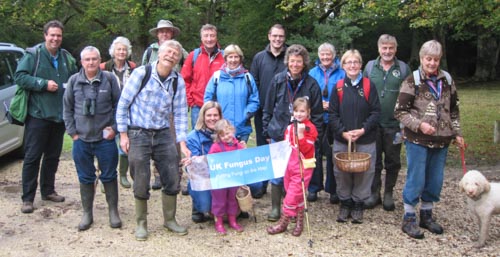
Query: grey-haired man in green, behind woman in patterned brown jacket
x=387, y=73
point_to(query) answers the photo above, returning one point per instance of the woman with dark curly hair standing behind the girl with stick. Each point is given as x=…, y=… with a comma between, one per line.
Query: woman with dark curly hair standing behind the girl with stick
x=286, y=86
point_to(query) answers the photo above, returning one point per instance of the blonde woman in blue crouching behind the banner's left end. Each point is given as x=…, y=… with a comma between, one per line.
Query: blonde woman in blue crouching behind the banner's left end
x=199, y=141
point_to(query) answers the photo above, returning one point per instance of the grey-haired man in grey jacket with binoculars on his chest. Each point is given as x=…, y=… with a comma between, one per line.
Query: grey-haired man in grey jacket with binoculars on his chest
x=89, y=114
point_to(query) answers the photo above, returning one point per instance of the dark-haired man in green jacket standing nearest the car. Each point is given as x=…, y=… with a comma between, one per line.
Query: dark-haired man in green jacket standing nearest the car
x=44, y=72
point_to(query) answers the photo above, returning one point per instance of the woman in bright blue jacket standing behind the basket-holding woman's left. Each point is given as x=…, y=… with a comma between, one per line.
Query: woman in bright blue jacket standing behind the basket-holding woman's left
x=326, y=72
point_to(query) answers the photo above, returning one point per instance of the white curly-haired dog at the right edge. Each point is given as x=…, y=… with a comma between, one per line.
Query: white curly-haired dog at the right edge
x=483, y=200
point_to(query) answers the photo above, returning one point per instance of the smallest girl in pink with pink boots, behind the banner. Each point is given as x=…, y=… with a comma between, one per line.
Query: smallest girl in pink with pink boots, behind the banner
x=224, y=200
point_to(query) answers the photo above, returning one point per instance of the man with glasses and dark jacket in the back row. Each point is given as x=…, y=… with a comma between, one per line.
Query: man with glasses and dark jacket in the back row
x=265, y=65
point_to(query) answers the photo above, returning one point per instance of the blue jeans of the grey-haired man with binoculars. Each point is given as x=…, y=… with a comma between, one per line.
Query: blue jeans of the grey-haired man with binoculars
x=107, y=158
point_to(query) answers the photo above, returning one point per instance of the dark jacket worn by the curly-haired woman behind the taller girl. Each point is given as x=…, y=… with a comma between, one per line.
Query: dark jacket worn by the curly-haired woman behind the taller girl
x=276, y=111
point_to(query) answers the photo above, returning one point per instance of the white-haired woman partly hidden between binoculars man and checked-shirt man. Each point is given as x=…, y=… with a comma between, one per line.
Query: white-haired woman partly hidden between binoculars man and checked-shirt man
x=120, y=50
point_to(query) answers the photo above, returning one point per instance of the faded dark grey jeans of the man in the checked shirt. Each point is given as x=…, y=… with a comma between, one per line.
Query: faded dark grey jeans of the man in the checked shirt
x=158, y=145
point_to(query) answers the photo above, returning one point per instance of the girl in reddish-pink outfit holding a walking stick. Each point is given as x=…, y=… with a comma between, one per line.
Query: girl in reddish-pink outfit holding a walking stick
x=293, y=203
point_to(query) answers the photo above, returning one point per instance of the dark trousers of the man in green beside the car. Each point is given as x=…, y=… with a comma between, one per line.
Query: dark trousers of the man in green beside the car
x=41, y=138
